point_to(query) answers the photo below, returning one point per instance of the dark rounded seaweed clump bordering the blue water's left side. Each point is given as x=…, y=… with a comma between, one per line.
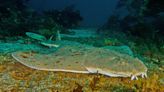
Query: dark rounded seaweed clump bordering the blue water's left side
x=68, y=17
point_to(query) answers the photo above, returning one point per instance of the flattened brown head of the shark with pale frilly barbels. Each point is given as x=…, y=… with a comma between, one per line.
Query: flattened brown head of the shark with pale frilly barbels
x=114, y=64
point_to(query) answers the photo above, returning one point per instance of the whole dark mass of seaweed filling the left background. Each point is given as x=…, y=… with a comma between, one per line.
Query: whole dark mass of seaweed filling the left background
x=16, y=19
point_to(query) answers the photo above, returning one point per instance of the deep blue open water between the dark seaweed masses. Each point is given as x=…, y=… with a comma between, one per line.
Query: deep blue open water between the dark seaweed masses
x=95, y=12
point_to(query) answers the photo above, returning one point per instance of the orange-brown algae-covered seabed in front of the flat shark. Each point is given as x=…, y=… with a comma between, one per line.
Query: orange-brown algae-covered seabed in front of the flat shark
x=15, y=77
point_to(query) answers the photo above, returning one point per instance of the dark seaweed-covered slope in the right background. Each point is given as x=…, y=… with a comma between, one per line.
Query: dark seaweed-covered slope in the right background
x=143, y=21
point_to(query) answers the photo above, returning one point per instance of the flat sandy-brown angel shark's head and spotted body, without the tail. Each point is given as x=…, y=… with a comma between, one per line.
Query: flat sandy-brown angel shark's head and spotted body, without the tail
x=83, y=59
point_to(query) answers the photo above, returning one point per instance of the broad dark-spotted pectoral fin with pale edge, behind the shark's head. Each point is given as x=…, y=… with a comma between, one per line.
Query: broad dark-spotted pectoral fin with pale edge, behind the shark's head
x=59, y=61
